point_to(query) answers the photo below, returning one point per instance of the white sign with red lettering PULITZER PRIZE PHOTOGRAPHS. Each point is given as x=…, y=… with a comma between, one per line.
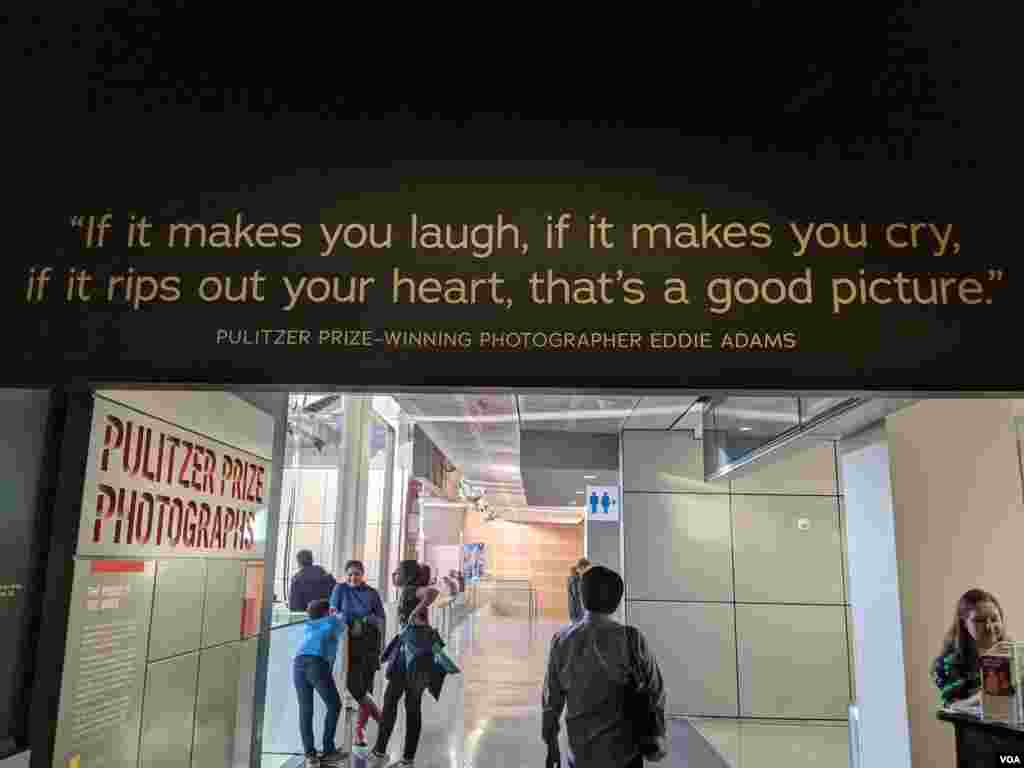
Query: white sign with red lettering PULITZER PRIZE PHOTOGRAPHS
x=156, y=489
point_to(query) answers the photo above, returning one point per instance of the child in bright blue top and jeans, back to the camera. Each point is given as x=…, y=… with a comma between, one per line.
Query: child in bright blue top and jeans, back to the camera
x=313, y=671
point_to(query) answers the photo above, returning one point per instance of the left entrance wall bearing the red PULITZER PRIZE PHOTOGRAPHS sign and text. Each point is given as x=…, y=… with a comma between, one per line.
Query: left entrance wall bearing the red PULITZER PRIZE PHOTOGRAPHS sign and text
x=163, y=634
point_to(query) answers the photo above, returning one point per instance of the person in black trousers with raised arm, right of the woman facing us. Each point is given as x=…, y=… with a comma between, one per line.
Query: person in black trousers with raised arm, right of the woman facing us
x=410, y=661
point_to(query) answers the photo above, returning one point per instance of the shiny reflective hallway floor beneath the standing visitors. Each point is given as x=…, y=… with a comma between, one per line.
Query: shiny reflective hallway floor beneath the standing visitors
x=490, y=716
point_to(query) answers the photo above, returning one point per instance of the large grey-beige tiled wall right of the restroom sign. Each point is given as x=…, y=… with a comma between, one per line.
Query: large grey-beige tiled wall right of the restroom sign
x=741, y=574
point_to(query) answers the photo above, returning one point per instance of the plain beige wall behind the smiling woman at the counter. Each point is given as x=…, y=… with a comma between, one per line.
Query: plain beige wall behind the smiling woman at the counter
x=960, y=524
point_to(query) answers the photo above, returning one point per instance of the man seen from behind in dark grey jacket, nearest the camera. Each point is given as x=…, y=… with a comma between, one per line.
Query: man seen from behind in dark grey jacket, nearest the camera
x=606, y=678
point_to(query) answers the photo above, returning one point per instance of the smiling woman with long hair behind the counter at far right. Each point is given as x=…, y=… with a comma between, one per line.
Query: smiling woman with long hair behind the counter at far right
x=978, y=625
